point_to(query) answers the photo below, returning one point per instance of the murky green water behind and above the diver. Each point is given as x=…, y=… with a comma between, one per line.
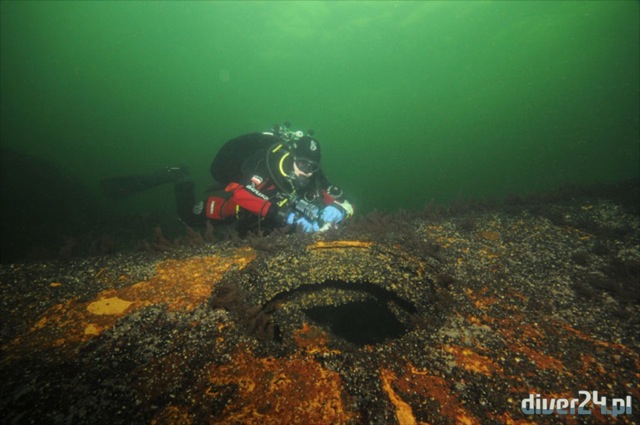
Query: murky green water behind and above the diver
x=412, y=101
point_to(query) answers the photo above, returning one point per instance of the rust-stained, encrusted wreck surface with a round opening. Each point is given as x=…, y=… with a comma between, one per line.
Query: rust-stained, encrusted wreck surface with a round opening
x=395, y=319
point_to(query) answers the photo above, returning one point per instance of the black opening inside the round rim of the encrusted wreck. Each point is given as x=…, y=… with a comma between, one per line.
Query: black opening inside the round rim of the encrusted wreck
x=361, y=323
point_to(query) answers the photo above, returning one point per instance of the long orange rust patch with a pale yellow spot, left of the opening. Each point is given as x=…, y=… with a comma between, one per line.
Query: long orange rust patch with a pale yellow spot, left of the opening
x=180, y=285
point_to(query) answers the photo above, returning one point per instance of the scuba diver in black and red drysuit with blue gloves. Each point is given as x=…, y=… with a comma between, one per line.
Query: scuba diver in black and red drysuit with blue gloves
x=270, y=179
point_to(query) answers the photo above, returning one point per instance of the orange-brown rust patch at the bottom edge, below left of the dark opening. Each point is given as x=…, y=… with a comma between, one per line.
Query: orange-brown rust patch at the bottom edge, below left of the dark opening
x=293, y=389
